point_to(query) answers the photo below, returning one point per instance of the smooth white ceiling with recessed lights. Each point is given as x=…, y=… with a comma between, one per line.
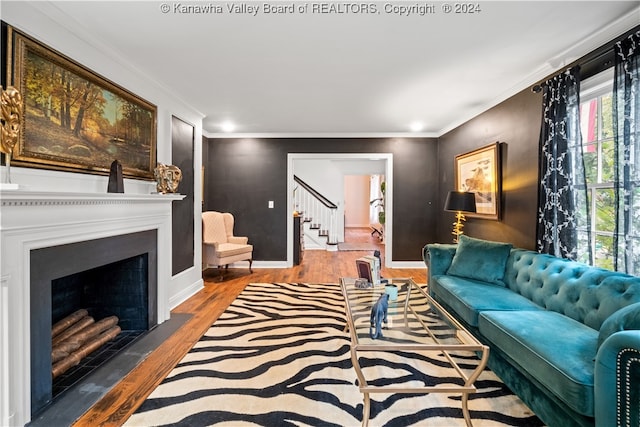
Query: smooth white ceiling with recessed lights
x=346, y=74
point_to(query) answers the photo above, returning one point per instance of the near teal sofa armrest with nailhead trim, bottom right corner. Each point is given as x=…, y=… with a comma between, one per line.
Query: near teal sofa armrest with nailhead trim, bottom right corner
x=617, y=375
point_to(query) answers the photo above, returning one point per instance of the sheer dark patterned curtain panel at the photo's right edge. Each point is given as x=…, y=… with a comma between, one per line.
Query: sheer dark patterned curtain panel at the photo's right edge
x=626, y=111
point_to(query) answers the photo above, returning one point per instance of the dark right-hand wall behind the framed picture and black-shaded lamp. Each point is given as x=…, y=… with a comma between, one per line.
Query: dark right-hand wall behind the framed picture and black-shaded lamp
x=515, y=123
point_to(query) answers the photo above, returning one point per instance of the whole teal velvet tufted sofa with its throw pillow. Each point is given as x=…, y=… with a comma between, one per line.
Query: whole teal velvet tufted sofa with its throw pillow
x=563, y=336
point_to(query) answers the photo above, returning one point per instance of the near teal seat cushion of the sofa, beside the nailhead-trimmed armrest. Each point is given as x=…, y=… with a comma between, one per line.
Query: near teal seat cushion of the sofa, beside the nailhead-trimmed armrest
x=555, y=350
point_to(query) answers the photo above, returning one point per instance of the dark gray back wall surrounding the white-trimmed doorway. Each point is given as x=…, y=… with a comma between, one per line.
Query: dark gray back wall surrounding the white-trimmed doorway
x=241, y=175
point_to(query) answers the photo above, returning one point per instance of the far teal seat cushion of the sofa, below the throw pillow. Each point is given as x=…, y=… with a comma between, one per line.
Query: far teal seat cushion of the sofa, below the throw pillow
x=469, y=297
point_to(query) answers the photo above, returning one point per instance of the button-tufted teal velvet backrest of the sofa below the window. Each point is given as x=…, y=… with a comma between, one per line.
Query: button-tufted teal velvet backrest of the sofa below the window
x=586, y=294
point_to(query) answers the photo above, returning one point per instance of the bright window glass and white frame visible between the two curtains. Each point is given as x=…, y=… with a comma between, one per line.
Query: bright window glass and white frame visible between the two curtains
x=596, y=122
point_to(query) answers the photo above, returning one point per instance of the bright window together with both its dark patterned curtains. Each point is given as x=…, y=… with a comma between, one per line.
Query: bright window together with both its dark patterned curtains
x=608, y=188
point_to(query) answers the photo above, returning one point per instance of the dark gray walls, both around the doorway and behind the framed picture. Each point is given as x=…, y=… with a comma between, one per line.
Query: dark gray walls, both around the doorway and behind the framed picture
x=242, y=174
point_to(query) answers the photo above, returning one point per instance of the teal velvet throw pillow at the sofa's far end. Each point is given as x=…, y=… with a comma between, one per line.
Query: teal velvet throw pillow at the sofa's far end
x=480, y=260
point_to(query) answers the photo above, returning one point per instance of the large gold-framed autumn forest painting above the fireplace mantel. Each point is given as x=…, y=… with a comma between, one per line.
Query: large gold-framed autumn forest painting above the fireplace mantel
x=74, y=119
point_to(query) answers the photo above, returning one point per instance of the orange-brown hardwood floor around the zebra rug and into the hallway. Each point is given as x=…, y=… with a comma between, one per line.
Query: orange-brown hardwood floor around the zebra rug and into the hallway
x=207, y=305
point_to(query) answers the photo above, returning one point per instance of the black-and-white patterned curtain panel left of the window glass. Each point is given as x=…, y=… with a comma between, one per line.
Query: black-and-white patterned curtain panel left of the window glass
x=563, y=217
